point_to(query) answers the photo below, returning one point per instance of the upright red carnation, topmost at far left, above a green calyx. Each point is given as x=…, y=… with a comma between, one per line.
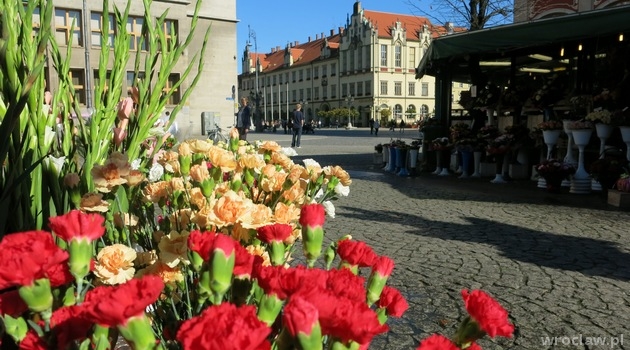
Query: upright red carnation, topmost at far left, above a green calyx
x=78, y=225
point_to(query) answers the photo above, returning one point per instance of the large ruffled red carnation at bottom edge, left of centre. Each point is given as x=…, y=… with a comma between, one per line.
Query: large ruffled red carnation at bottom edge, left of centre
x=225, y=327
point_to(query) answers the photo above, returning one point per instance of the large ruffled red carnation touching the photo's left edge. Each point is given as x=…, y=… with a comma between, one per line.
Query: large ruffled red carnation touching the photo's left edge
x=28, y=256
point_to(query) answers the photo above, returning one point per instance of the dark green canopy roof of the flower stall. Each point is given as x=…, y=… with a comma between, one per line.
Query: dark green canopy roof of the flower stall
x=503, y=41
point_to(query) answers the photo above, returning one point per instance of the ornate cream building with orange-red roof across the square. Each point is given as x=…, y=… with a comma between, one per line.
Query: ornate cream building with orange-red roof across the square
x=368, y=65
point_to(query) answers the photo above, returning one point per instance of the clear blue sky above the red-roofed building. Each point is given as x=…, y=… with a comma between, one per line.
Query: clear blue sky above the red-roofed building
x=277, y=22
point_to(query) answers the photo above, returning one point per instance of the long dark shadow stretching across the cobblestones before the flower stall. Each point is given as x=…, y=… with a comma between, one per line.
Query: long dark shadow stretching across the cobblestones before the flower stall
x=568, y=252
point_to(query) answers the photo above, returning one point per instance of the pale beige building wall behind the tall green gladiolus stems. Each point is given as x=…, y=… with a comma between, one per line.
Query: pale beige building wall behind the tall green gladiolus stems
x=78, y=24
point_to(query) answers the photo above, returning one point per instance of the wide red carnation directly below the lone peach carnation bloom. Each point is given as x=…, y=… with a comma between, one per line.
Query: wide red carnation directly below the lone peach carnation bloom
x=113, y=306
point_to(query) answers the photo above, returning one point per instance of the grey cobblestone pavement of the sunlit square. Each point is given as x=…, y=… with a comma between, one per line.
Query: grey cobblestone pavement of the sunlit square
x=559, y=263
